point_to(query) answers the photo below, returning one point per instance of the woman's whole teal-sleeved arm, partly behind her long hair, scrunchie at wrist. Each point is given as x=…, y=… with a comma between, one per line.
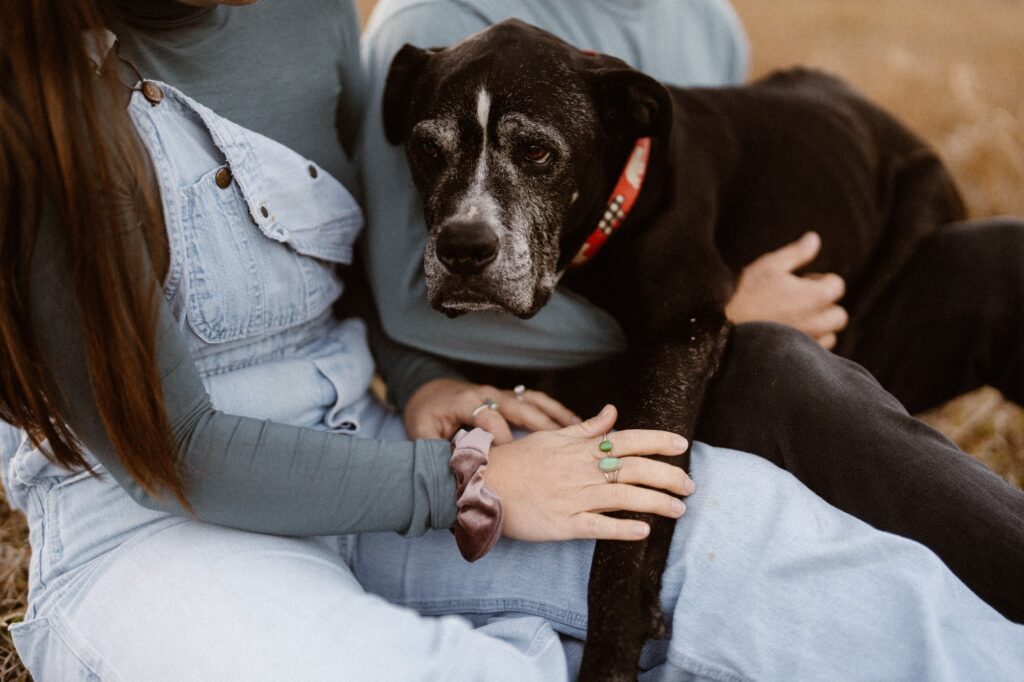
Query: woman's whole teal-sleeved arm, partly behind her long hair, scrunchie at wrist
x=240, y=473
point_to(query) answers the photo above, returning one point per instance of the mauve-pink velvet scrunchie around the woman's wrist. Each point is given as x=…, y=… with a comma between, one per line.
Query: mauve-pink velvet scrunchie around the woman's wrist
x=479, y=523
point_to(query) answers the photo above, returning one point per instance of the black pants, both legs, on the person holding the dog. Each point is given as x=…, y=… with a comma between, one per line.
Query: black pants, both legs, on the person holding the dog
x=954, y=322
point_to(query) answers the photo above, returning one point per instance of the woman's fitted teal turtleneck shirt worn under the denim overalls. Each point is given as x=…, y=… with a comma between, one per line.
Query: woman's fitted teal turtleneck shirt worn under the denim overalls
x=289, y=70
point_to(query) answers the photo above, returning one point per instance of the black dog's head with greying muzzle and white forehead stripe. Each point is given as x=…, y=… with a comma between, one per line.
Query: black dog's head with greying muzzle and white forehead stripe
x=515, y=140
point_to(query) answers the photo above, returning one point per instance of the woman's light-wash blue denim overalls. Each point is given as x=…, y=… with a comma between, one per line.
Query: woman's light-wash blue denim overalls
x=772, y=582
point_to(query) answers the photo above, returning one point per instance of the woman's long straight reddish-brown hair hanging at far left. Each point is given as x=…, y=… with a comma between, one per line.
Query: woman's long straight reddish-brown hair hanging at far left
x=66, y=140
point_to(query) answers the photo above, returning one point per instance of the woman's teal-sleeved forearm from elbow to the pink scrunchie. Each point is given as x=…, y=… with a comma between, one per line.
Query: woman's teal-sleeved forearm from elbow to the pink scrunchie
x=272, y=478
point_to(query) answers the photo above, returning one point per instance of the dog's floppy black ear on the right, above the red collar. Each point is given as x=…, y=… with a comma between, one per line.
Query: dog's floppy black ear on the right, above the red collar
x=631, y=102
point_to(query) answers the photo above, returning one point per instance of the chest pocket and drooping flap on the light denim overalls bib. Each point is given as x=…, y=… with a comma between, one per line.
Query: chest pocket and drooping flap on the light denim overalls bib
x=252, y=272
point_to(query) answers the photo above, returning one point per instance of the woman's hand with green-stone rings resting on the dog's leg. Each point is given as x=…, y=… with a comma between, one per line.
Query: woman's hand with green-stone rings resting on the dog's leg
x=551, y=488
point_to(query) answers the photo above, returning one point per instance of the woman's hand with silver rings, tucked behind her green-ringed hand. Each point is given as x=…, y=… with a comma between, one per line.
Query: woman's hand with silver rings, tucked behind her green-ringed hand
x=442, y=406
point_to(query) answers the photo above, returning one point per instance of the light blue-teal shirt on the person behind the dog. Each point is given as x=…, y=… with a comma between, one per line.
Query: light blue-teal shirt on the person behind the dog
x=685, y=42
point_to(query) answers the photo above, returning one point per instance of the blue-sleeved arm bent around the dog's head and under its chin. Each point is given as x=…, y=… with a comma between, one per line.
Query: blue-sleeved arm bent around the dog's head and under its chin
x=568, y=331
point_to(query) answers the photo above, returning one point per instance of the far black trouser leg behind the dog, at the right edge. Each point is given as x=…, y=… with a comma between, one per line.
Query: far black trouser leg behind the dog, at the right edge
x=955, y=320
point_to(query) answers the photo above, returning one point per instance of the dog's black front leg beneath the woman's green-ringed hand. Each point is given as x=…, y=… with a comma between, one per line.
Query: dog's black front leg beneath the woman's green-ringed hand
x=667, y=381
